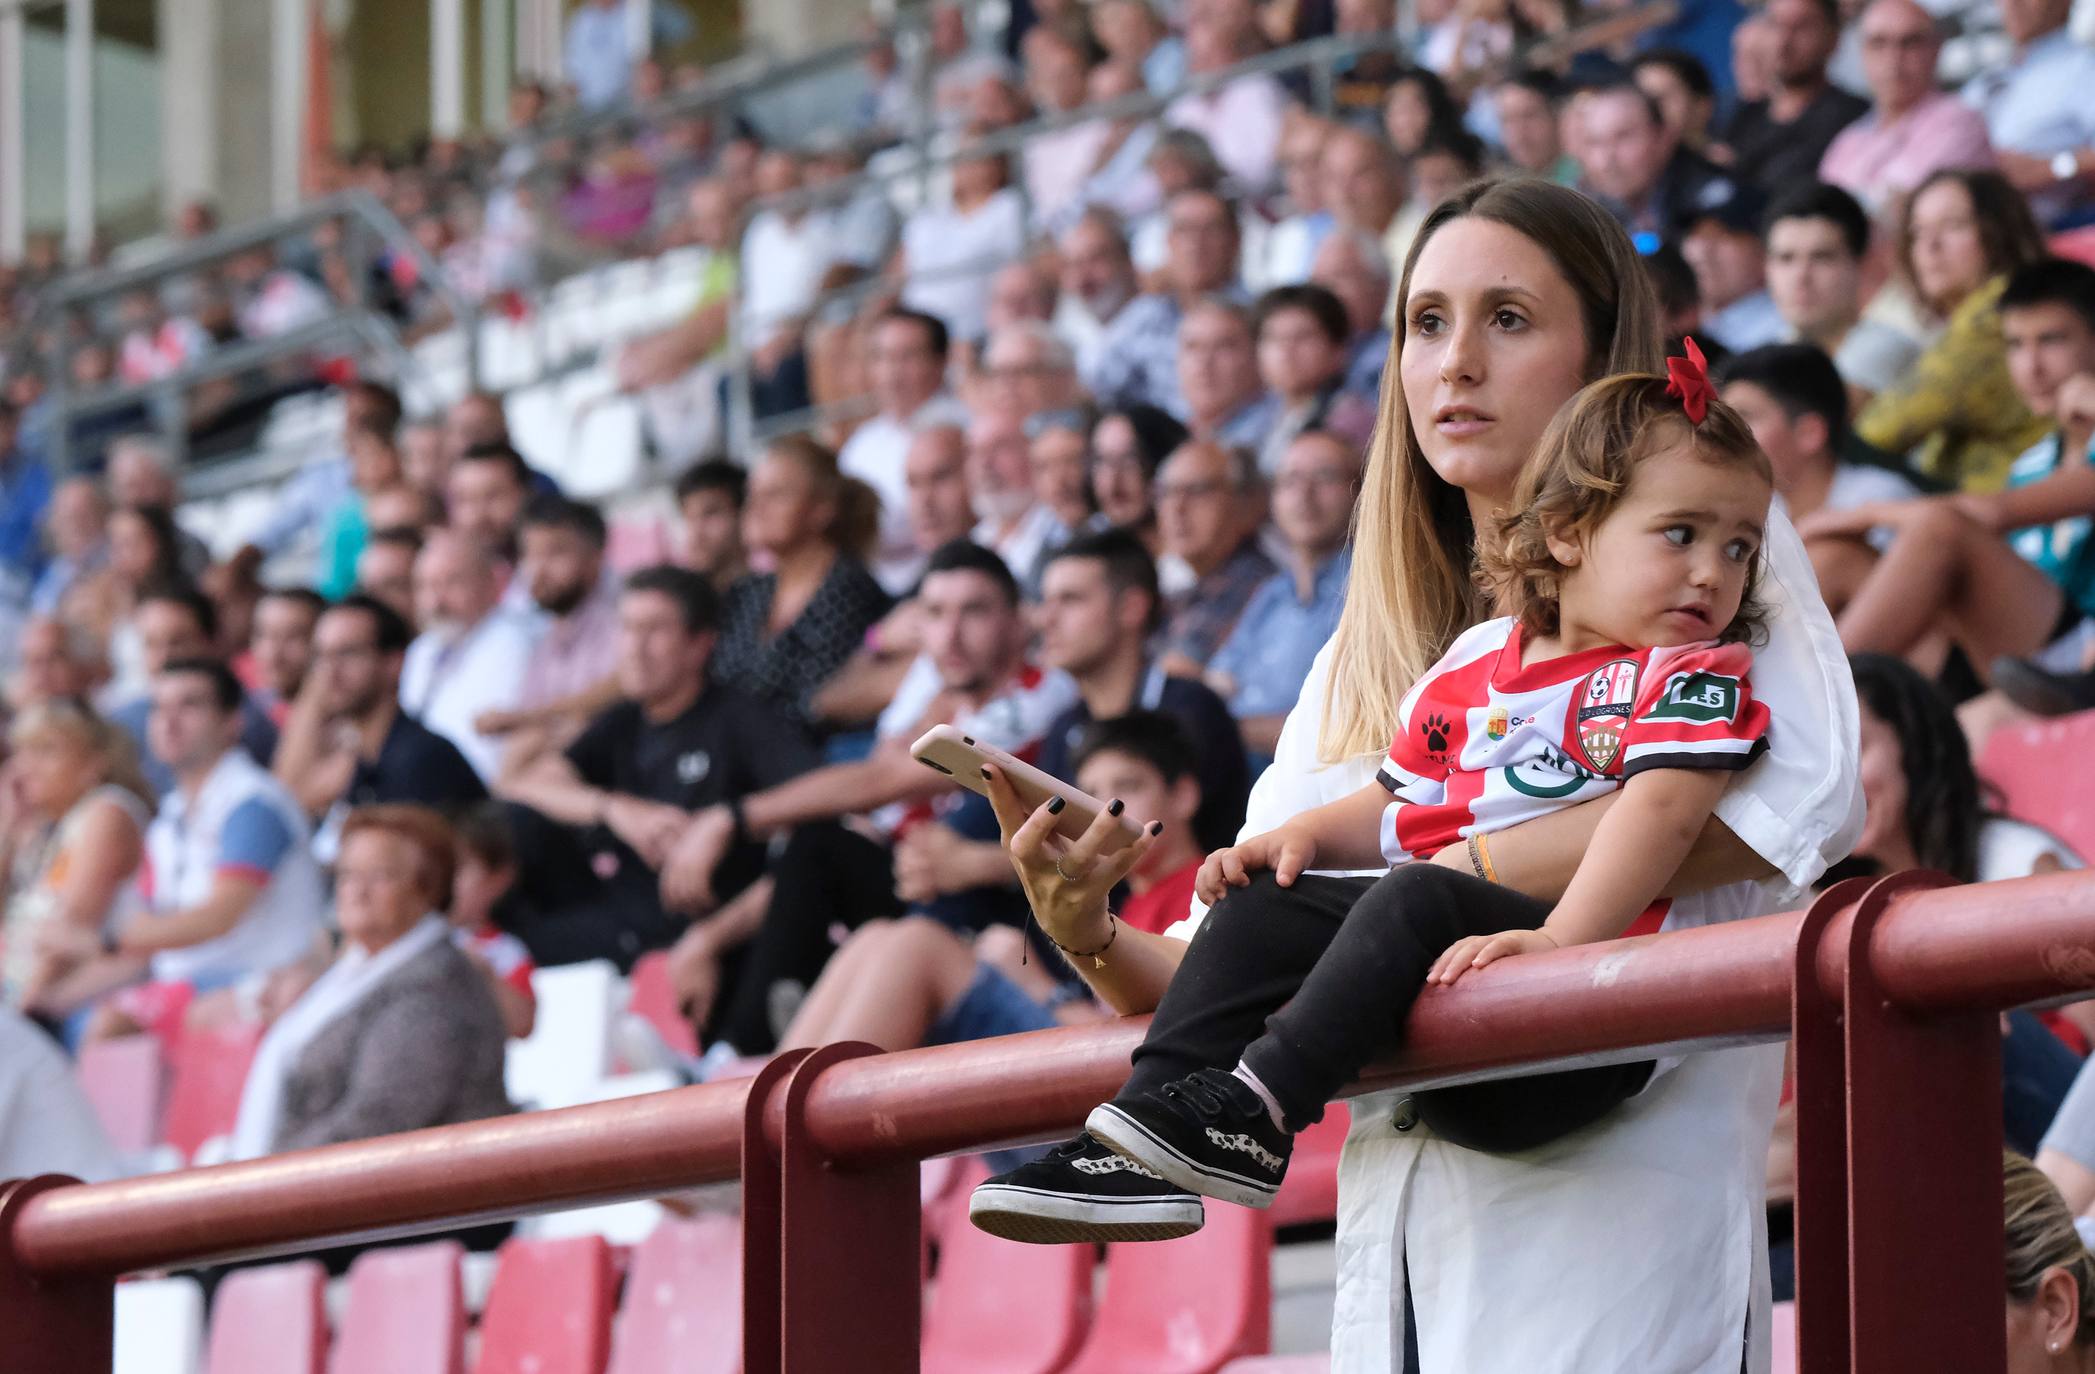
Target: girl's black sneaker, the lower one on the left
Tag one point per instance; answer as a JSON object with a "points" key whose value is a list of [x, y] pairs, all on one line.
{"points": [[1082, 1193]]}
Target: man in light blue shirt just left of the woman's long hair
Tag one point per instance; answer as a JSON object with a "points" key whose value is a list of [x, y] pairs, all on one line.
{"points": [[1260, 669]]}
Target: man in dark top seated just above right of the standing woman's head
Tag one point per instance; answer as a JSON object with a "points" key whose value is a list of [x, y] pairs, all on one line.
{"points": [[1635, 169]]}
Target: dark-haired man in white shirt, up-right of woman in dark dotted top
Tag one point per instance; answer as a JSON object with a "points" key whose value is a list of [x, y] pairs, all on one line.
{"points": [[908, 374]]}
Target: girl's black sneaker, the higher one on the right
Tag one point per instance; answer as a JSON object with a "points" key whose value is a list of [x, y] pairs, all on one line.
{"points": [[1208, 1132]]}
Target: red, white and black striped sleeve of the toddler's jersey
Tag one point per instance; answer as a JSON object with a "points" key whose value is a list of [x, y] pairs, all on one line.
{"points": [[1696, 711]]}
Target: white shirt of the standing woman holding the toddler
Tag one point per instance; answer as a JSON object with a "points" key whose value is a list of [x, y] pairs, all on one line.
{"points": [[1641, 1241]]}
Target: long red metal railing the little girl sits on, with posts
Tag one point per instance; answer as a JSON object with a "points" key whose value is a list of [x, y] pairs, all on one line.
{"points": [[1891, 992]]}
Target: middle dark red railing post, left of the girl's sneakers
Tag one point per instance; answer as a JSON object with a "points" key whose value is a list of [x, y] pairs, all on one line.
{"points": [[850, 1289]]}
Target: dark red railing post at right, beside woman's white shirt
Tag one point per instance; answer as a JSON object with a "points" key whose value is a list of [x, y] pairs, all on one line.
{"points": [[1926, 1249]]}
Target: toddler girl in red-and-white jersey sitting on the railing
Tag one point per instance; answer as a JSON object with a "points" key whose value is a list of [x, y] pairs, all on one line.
{"points": [[1629, 575]]}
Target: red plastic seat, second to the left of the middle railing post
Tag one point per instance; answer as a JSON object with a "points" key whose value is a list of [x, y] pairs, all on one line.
{"points": [[550, 1310]]}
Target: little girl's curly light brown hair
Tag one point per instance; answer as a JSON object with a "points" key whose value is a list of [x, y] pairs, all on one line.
{"points": [[1583, 472]]}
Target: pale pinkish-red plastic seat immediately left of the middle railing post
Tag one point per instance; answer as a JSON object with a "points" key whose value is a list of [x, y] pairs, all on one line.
{"points": [[684, 1302]]}
